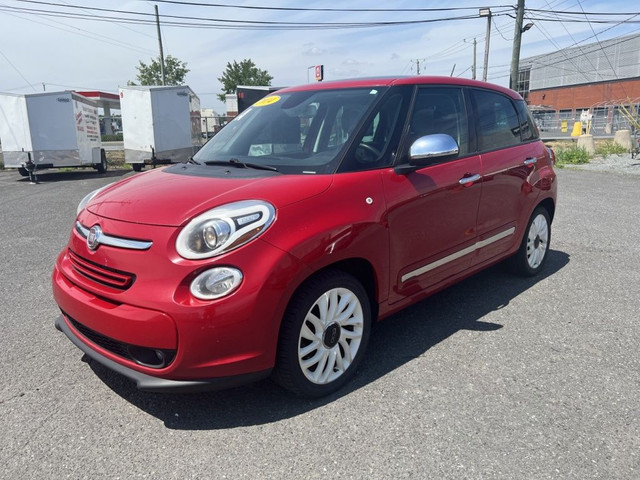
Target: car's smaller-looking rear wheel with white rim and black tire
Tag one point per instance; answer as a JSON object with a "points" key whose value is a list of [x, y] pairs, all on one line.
{"points": [[534, 248]]}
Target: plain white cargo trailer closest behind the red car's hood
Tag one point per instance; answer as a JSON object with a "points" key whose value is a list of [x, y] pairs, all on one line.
{"points": [[159, 124]]}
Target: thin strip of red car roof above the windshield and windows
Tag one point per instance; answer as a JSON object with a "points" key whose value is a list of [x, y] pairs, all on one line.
{"points": [[393, 81]]}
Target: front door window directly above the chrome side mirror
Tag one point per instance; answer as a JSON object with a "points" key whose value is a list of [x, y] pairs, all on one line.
{"points": [[440, 110]]}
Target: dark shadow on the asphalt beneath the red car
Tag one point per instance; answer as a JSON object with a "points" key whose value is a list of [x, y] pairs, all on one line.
{"points": [[394, 342]]}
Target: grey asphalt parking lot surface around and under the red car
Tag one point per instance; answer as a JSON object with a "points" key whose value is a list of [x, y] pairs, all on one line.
{"points": [[496, 377]]}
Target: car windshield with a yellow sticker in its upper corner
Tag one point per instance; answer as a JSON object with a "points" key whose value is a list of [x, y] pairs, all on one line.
{"points": [[298, 132]]}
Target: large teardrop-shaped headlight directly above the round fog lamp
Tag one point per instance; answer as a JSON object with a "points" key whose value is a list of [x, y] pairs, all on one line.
{"points": [[224, 228]]}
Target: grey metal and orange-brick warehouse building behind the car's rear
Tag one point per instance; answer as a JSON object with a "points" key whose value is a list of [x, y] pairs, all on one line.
{"points": [[602, 77]]}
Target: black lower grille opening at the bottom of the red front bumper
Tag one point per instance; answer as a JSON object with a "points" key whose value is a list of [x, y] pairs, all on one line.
{"points": [[160, 358]]}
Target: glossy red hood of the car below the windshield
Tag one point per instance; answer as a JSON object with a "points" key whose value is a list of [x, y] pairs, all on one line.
{"points": [[171, 197]]}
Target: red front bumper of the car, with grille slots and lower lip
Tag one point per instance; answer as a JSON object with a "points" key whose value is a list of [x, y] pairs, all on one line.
{"points": [[203, 344]]}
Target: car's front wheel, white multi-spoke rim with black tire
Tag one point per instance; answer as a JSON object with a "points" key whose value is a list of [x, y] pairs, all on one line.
{"points": [[339, 343]]}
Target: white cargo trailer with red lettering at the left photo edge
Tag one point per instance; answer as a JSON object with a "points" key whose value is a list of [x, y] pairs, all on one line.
{"points": [[50, 130]]}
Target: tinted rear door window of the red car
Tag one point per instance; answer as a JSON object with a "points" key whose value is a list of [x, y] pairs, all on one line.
{"points": [[497, 120]]}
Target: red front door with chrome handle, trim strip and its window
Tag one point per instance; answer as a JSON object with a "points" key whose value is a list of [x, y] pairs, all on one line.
{"points": [[432, 212]]}
